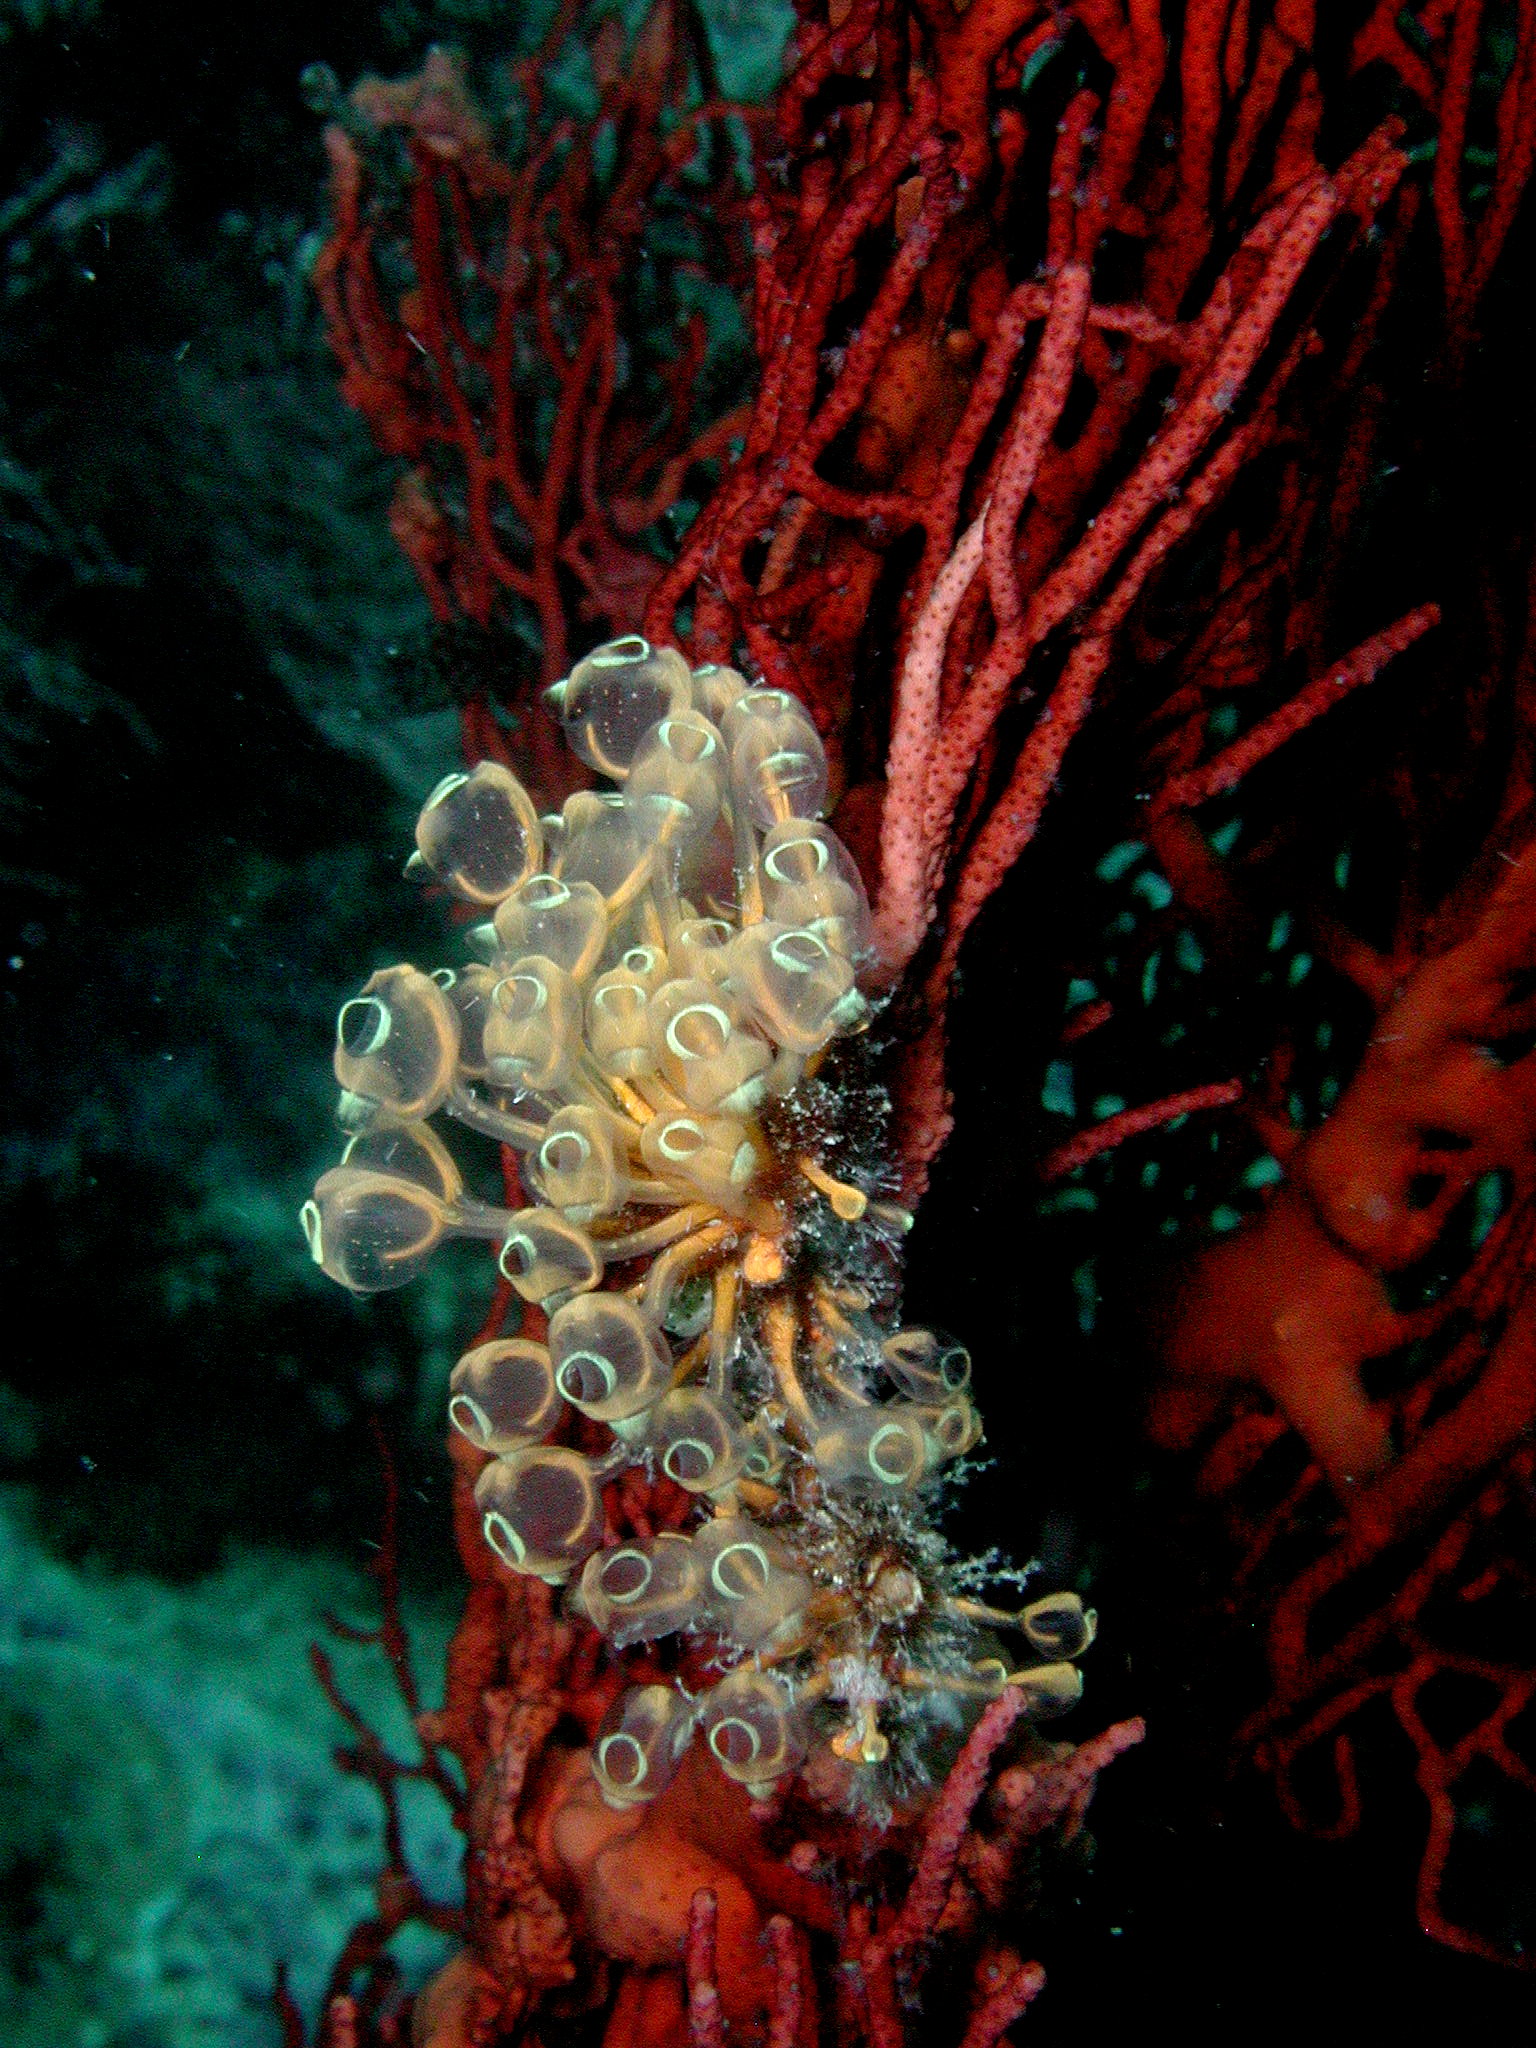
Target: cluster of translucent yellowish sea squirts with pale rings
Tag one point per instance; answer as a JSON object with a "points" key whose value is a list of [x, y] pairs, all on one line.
{"points": [[663, 972]]}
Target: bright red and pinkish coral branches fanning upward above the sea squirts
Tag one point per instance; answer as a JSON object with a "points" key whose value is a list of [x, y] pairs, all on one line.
{"points": [[933, 409]]}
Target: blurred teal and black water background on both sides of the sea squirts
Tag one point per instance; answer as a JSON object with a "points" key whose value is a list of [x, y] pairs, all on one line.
{"points": [[220, 708]]}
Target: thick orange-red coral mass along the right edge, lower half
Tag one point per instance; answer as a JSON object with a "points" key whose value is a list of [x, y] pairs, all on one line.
{"points": [[1431, 1480]]}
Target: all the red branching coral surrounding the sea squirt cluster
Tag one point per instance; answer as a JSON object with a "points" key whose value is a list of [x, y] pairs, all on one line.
{"points": [[1066, 325]]}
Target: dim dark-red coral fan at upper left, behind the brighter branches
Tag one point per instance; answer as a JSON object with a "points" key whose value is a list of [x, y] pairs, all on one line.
{"points": [[488, 323]]}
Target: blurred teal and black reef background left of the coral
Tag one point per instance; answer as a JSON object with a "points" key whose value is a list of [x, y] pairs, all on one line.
{"points": [[220, 710]]}
